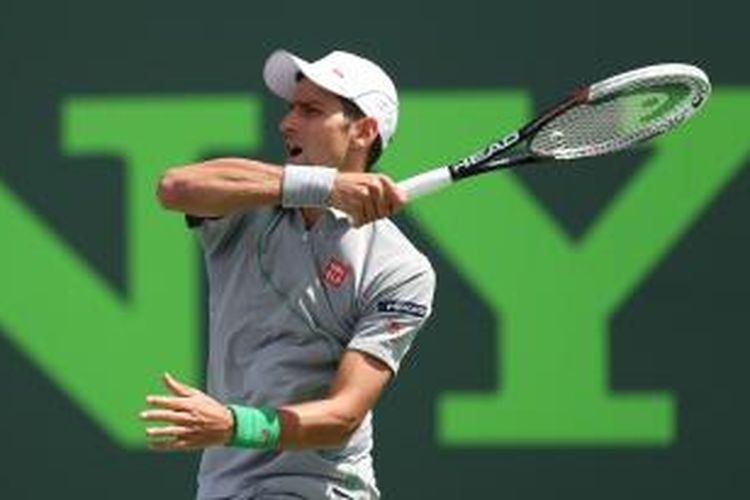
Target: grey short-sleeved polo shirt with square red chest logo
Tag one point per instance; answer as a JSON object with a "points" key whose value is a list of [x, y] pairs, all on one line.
{"points": [[285, 303]]}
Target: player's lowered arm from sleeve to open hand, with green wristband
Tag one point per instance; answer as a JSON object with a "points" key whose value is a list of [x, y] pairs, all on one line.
{"points": [[192, 420]]}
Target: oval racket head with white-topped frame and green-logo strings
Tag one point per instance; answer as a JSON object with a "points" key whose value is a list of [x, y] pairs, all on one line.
{"points": [[622, 110]]}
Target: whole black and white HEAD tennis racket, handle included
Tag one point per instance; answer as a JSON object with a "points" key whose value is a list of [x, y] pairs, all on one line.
{"points": [[605, 117]]}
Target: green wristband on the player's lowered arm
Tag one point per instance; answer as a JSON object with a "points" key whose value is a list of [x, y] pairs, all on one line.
{"points": [[257, 428]]}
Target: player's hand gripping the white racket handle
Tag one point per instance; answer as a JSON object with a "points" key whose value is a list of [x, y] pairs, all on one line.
{"points": [[366, 197]]}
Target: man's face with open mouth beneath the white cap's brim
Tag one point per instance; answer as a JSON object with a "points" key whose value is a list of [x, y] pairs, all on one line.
{"points": [[315, 130]]}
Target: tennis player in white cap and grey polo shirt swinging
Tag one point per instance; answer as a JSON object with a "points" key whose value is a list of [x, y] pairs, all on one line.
{"points": [[314, 295]]}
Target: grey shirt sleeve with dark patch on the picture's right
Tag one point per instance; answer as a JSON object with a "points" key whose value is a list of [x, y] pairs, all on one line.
{"points": [[393, 315]]}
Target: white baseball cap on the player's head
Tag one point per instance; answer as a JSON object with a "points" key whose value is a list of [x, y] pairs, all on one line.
{"points": [[345, 74]]}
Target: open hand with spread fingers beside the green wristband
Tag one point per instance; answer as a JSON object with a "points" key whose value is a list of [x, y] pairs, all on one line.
{"points": [[193, 420]]}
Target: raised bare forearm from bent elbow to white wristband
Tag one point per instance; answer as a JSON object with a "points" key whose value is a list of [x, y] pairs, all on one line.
{"points": [[219, 187]]}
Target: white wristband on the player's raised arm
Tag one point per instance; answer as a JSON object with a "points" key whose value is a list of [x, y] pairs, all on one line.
{"points": [[306, 185]]}
